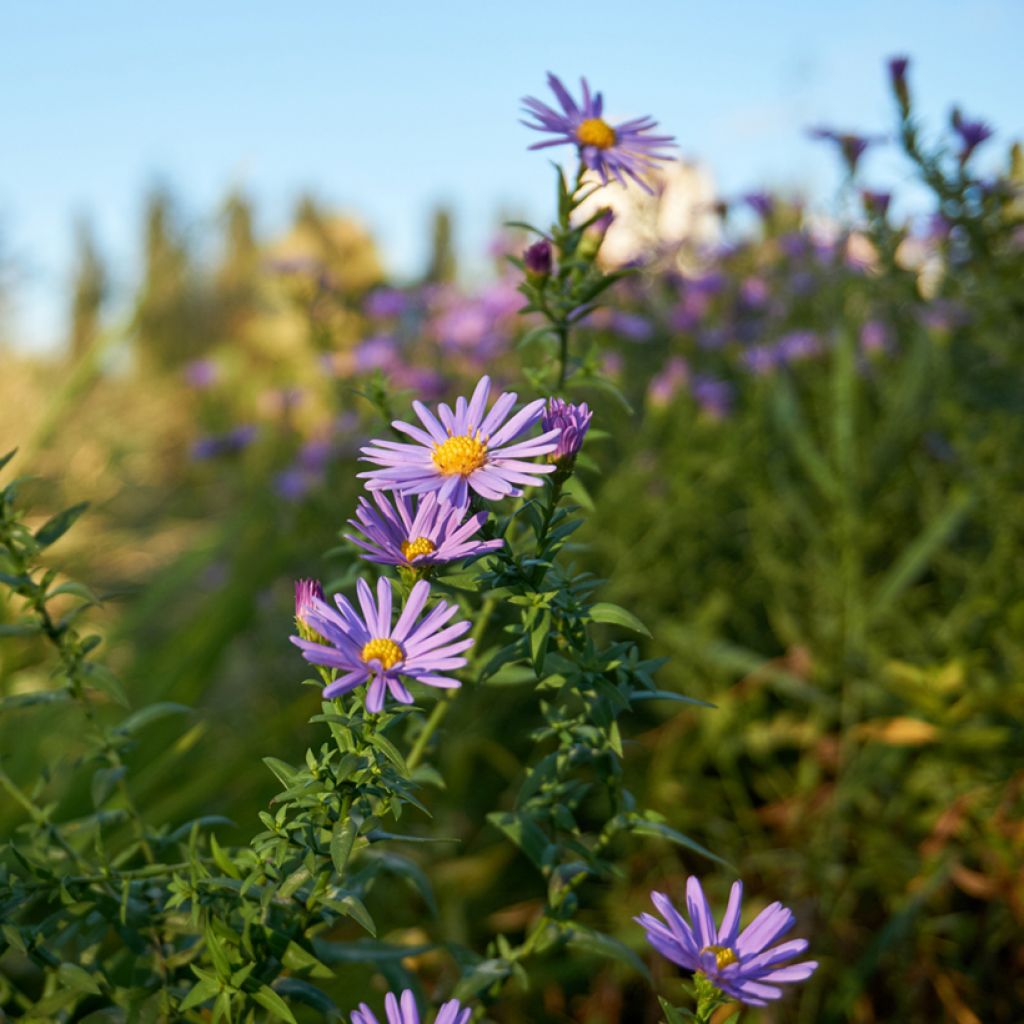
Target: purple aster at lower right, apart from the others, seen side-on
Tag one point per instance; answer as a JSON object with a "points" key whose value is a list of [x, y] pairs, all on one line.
{"points": [[740, 964]]}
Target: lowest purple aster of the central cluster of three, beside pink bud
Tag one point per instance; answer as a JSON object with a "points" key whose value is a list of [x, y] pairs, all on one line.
{"points": [[367, 649]]}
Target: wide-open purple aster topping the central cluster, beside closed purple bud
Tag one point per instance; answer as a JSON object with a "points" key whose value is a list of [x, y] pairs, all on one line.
{"points": [[463, 450]]}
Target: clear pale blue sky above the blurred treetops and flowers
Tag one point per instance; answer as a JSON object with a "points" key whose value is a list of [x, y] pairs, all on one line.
{"points": [[387, 109]]}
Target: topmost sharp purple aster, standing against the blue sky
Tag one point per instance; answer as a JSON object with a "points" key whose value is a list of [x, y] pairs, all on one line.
{"points": [[611, 151]]}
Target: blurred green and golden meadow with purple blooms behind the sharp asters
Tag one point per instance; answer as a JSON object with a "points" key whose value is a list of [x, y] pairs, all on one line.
{"points": [[815, 502]]}
